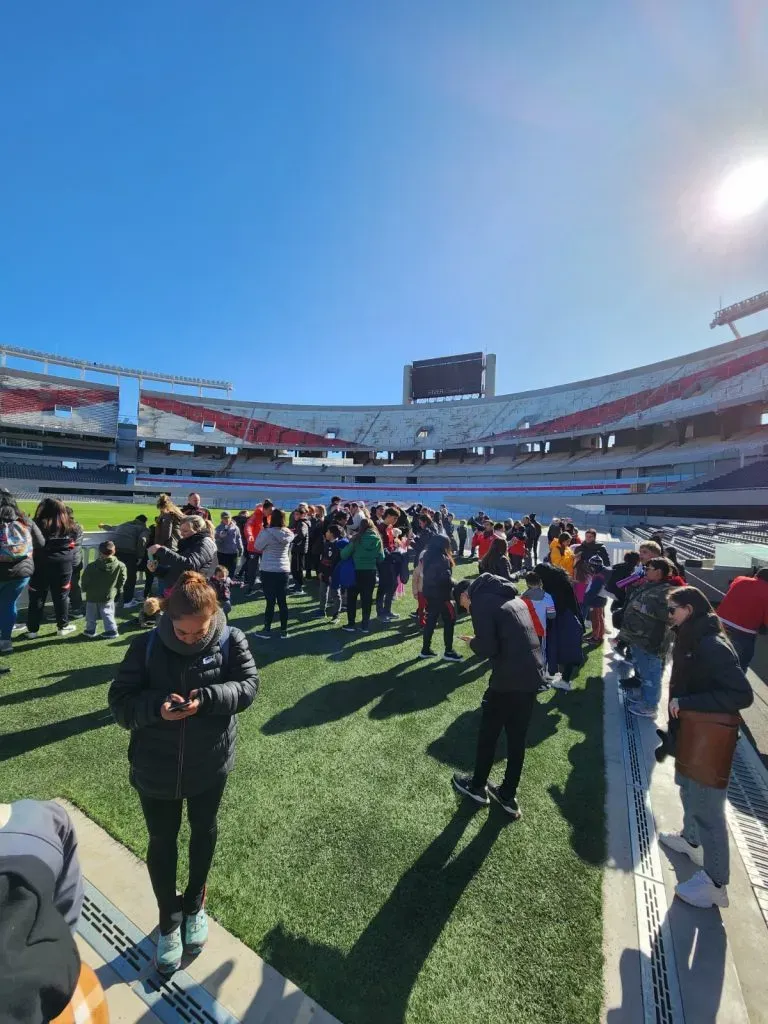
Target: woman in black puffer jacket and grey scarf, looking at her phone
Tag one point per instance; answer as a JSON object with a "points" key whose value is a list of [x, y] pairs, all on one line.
{"points": [[179, 692]]}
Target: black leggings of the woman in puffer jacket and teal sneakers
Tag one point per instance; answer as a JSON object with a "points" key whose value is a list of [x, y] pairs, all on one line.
{"points": [[163, 823]]}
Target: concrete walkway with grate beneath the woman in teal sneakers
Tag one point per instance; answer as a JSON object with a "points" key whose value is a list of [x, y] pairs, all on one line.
{"points": [[228, 984]]}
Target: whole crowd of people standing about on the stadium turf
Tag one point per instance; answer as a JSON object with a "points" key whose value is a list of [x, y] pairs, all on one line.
{"points": [[184, 681]]}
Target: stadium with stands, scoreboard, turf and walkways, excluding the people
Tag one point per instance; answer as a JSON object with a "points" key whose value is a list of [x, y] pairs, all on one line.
{"points": [[345, 761]]}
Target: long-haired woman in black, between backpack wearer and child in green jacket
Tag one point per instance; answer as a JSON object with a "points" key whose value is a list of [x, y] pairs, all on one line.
{"points": [[53, 568]]}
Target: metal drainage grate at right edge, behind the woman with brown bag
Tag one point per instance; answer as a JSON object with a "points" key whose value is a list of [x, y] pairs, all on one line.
{"points": [[748, 818]]}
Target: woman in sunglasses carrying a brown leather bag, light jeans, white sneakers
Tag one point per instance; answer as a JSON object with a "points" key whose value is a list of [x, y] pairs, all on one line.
{"points": [[706, 677]]}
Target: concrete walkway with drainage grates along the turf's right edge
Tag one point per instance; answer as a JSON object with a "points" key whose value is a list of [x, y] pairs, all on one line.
{"points": [[666, 962]]}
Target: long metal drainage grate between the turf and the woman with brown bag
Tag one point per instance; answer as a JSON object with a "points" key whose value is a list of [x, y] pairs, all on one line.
{"points": [[662, 1002]]}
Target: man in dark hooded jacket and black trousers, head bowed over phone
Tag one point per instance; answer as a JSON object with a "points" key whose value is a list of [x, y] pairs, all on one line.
{"points": [[506, 636]]}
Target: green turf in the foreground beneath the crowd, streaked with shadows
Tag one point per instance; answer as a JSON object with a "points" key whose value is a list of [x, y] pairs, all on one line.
{"points": [[346, 860]]}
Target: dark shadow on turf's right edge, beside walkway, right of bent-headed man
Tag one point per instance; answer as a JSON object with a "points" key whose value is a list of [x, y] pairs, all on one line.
{"points": [[583, 798]]}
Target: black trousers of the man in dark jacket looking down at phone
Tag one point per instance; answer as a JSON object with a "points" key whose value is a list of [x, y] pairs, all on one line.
{"points": [[510, 712]]}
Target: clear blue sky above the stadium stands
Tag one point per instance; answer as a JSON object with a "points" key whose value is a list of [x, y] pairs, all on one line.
{"points": [[303, 197]]}
